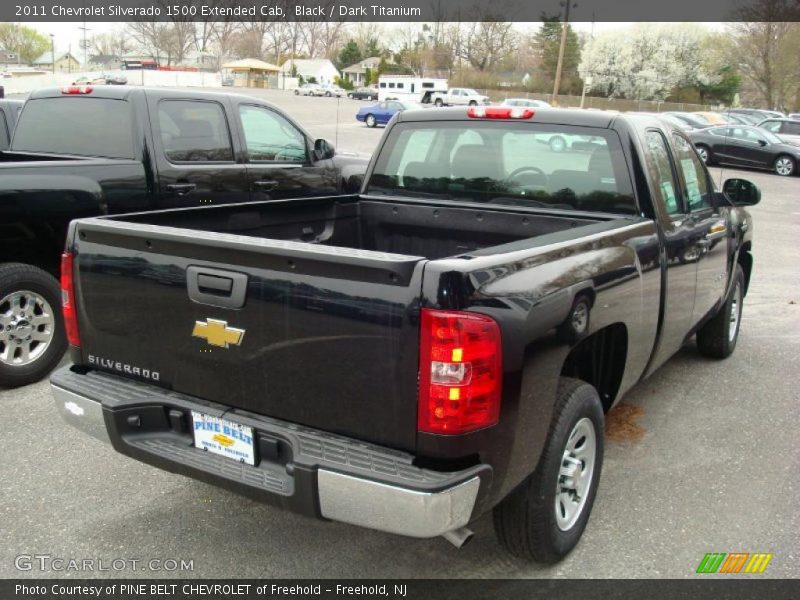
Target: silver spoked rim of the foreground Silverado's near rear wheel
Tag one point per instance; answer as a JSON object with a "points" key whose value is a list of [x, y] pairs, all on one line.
{"points": [[575, 474]]}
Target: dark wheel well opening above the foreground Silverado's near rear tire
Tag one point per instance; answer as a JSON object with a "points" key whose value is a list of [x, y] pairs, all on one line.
{"points": [[600, 361]]}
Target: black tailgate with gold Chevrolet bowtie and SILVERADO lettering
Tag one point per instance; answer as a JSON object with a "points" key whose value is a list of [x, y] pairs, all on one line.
{"points": [[321, 336]]}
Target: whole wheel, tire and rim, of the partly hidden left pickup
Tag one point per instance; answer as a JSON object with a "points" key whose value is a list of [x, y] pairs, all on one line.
{"points": [[32, 338]]}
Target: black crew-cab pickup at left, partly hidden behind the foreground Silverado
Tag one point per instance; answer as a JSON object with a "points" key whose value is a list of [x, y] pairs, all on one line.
{"points": [[81, 151]]}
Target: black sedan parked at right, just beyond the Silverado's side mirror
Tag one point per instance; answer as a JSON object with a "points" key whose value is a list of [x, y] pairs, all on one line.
{"points": [[746, 146]]}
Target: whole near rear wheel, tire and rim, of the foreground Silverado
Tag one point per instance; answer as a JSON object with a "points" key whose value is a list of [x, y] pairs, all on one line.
{"points": [[544, 518]]}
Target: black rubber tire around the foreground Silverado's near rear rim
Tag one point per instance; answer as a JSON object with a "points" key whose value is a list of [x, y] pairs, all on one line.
{"points": [[525, 521]]}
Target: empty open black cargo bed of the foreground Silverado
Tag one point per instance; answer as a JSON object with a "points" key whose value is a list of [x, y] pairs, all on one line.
{"points": [[420, 229]]}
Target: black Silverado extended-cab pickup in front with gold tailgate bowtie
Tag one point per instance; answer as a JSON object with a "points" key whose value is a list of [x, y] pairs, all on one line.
{"points": [[440, 345]]}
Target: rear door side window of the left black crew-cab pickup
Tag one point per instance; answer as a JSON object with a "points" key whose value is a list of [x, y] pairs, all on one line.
{"points": [[193, 131]]}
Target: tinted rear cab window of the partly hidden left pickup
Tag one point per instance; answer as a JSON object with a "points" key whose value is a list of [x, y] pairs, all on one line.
{"points": [[80, 126]]}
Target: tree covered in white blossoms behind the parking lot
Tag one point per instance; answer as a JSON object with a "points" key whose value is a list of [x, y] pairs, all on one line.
{"points": [[644, 61]]}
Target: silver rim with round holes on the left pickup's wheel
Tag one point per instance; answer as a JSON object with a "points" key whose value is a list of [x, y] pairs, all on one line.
{"points": [[27, 326]]}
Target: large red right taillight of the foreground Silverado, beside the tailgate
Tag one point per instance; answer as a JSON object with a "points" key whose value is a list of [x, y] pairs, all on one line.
{"points": [[460, 372]]}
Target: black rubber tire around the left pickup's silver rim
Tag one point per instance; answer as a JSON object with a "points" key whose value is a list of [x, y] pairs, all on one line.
{"points": [[15, 277]]}
